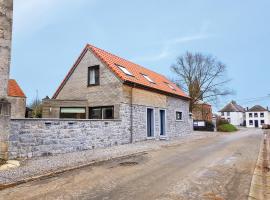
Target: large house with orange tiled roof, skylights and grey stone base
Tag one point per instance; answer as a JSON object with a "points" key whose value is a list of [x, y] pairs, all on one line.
{"points": [[103, 86]]}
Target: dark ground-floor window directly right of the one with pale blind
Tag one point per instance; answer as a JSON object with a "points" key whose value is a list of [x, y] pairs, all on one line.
{"points": [[105, 112]]}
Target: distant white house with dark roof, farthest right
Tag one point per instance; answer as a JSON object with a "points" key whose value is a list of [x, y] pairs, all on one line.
{"points": [[257, 116]]}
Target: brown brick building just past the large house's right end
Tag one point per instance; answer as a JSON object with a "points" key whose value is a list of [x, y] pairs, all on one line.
{"points": [[202, 112]]}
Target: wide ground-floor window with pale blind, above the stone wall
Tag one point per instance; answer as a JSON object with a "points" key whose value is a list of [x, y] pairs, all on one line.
{"points": [[73, 113]]}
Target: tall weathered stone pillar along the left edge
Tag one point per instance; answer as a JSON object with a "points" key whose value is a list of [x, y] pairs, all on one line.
{"points": [[6, 17]]}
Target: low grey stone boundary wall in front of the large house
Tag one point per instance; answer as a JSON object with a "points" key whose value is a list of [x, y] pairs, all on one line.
{"points": [[41, 137]]}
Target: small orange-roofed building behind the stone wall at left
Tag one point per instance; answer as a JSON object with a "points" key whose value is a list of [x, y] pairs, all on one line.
{"points": [[17, 99]]}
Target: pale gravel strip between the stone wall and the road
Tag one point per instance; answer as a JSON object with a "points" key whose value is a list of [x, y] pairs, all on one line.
{"points": [[44, 165]]}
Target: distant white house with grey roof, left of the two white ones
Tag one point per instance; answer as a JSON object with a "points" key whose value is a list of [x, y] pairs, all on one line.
{"points": [[234, 113]]}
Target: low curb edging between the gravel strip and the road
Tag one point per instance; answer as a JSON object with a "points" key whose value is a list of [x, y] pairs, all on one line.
{"points": [[57, 172]]}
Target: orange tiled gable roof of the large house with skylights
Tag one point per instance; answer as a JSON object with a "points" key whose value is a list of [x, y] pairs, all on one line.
{"points": [[161, 83]]}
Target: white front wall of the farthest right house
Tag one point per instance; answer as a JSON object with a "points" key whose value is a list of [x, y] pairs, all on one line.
{"points": [[266, 118]]}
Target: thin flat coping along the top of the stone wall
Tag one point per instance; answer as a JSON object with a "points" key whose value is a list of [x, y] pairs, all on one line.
{"points": [[66, 120]]}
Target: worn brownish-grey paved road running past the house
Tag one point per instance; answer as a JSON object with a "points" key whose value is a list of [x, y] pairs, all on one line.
{"points": [[213, 168]]}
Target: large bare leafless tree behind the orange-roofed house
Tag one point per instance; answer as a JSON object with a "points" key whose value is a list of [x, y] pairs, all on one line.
{"points": [[203, 77]]}
